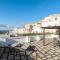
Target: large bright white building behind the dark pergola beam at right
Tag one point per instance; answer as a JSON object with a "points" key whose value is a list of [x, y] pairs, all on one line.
{"points": [[51, 20]]}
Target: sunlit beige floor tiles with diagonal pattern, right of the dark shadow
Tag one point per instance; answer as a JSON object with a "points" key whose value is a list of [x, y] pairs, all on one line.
{"points": [[48, 52]]}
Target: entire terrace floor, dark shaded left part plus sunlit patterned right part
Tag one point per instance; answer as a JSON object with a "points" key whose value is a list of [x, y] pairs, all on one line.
{"points": [[48, 52]]}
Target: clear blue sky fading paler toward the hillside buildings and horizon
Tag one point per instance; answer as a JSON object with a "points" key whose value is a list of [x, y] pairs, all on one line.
{"points": [[17, 13]]}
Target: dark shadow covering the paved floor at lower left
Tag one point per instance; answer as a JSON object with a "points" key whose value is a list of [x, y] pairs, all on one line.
{"points": [[10, 53]]}
